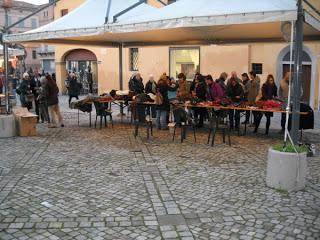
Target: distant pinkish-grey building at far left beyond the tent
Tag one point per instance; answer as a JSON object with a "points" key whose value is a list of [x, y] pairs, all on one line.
{"points": [[19, 10]]}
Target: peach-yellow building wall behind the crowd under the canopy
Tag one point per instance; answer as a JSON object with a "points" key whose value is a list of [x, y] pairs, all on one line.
{"points": [[264, 58]]}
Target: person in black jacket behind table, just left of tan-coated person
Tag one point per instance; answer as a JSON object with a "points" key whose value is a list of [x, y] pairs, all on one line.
{"points": [[236, 94]]}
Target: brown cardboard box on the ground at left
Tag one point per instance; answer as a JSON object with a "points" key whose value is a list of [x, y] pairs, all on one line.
{"points": [[26, 122]]}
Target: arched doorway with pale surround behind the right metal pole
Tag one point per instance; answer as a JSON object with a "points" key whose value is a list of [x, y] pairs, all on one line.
{"points": [[308, 72]]}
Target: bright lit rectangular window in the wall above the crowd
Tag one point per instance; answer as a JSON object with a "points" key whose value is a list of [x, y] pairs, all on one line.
{"points": [[184, 60]]}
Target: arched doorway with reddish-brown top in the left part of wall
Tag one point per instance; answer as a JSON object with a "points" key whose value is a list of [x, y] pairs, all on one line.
{"points": [[83, 63]]}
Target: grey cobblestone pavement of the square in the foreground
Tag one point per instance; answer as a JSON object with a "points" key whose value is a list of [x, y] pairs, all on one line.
{"points": [[85, 183]]}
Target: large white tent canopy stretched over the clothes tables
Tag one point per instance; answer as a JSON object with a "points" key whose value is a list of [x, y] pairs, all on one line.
{"points": [[183, 22]]}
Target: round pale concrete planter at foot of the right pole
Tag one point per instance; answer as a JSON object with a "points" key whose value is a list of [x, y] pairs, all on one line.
{"points": [[286, 171]]}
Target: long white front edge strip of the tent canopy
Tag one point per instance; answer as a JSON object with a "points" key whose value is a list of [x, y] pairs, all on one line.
{"points": [[232, 19]]}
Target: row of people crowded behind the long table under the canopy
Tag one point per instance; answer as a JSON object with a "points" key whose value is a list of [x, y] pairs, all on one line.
{"points": [[246, 88]]}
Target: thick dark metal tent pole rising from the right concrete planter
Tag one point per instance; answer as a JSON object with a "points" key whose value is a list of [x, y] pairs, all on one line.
{"points": [[297, 74]]}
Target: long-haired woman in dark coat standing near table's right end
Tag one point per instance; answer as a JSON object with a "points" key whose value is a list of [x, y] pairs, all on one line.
{"points": [[269, 92]]}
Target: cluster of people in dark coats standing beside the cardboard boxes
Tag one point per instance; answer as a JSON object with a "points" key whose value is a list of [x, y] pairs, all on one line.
{"points": [[41, 91]]}
